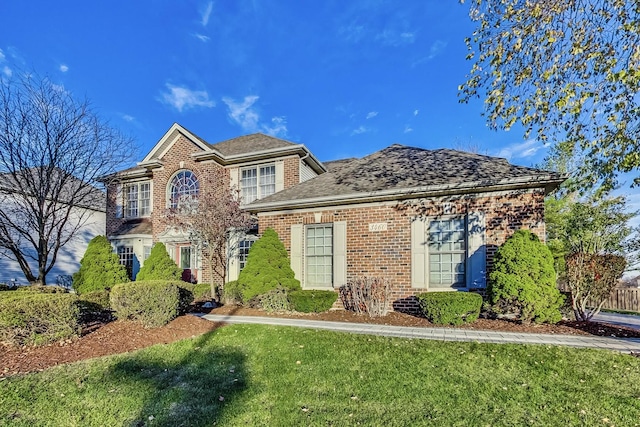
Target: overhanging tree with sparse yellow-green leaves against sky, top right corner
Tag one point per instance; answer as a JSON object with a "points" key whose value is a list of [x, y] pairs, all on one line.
{"points": [[567, 71]]}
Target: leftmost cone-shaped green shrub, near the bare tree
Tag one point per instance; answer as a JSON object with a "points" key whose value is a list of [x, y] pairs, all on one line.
{"points": [[100, 268]]}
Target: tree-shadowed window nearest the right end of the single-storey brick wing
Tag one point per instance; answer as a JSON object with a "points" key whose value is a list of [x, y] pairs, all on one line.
{"points": [[447, 253]]}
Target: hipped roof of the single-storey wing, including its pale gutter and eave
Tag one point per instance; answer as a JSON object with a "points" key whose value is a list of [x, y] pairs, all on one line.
{"points": [[407, 172]]}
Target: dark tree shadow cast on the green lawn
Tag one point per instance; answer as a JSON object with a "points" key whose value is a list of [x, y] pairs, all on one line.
{"points": [[192, 390]]}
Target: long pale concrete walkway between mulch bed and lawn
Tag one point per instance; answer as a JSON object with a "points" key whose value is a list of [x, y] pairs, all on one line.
{"points": [[625, 345]]}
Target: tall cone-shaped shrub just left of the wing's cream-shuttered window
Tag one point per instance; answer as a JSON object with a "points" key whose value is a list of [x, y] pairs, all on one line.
{"points": [[267, 268]]}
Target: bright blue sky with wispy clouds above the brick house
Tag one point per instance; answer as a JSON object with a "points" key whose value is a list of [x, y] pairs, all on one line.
{"points": [[344, 78]]}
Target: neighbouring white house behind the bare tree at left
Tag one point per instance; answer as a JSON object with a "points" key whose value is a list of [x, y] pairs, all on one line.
{"points": [[83, 205]]}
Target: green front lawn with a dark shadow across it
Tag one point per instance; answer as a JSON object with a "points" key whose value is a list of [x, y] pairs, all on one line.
{"points": [[264, 375]]}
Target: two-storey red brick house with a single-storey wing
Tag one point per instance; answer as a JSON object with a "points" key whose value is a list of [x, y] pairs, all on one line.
{"points": [[425, 219]]}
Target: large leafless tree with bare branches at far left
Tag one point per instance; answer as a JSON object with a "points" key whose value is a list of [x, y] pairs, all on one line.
{"points": [[53, 148]]}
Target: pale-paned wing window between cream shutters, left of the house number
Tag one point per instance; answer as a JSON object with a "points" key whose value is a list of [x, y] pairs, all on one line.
{"points": [[319, 255]]}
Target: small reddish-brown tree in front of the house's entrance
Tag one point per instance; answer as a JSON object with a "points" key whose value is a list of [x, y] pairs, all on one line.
{"points": [[214, 222]]}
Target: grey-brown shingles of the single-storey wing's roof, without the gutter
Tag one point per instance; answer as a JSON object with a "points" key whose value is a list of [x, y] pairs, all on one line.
{"points": [[402, 168]]}
